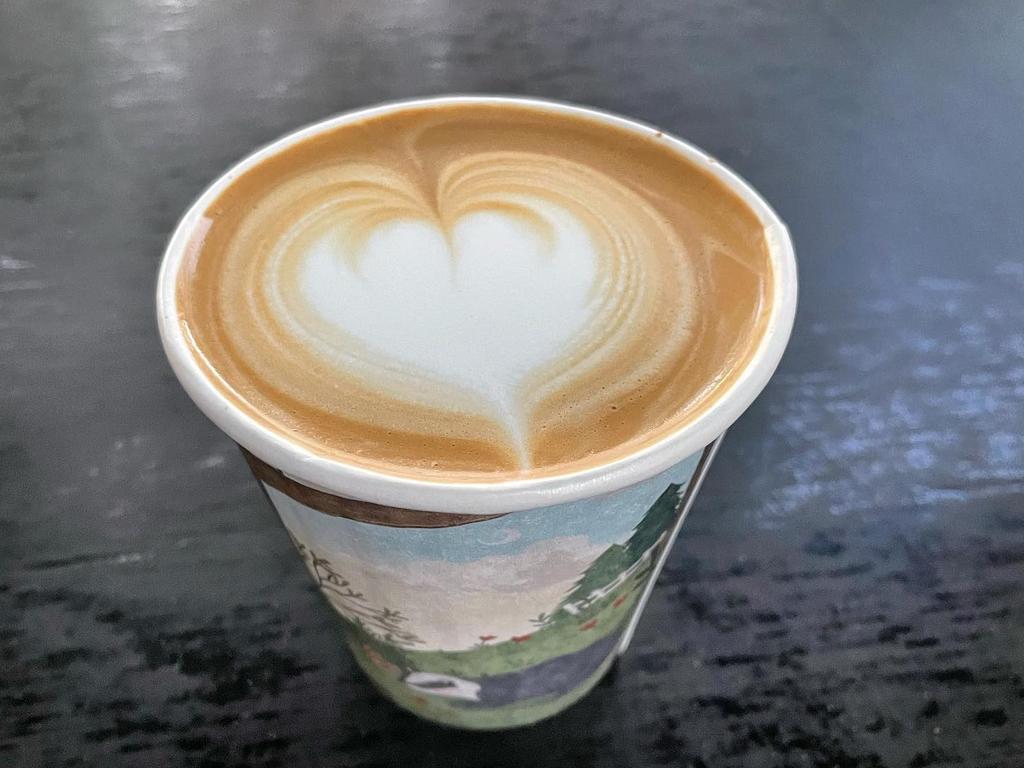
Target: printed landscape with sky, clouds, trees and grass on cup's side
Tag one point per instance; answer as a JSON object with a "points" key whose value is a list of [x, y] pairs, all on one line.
{"points": [[498, 623]]}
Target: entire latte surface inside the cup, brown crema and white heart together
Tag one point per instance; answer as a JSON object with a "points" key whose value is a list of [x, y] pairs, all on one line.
{"points": [[476, 291]]}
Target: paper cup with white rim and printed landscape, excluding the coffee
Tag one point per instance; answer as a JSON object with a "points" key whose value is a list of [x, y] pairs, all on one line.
{"points": [[477, 605]]}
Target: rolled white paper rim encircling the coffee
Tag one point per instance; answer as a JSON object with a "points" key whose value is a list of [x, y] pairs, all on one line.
{"points": [[342, 479]]}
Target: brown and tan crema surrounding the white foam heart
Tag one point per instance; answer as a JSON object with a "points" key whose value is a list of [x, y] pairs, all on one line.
{"points": [[678, 302]]}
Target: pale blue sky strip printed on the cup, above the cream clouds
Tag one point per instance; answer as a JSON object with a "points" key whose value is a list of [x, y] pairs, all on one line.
{"points": [[604, 521]]}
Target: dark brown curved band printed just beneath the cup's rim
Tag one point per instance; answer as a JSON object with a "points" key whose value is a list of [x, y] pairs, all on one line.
{"points": [[352, 509]]}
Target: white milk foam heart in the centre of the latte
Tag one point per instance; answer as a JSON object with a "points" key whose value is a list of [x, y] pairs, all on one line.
{"points": [[482, 311]]}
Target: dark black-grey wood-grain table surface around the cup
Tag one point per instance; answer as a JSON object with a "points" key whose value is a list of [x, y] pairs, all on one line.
{"points": [[849, 589]]}
